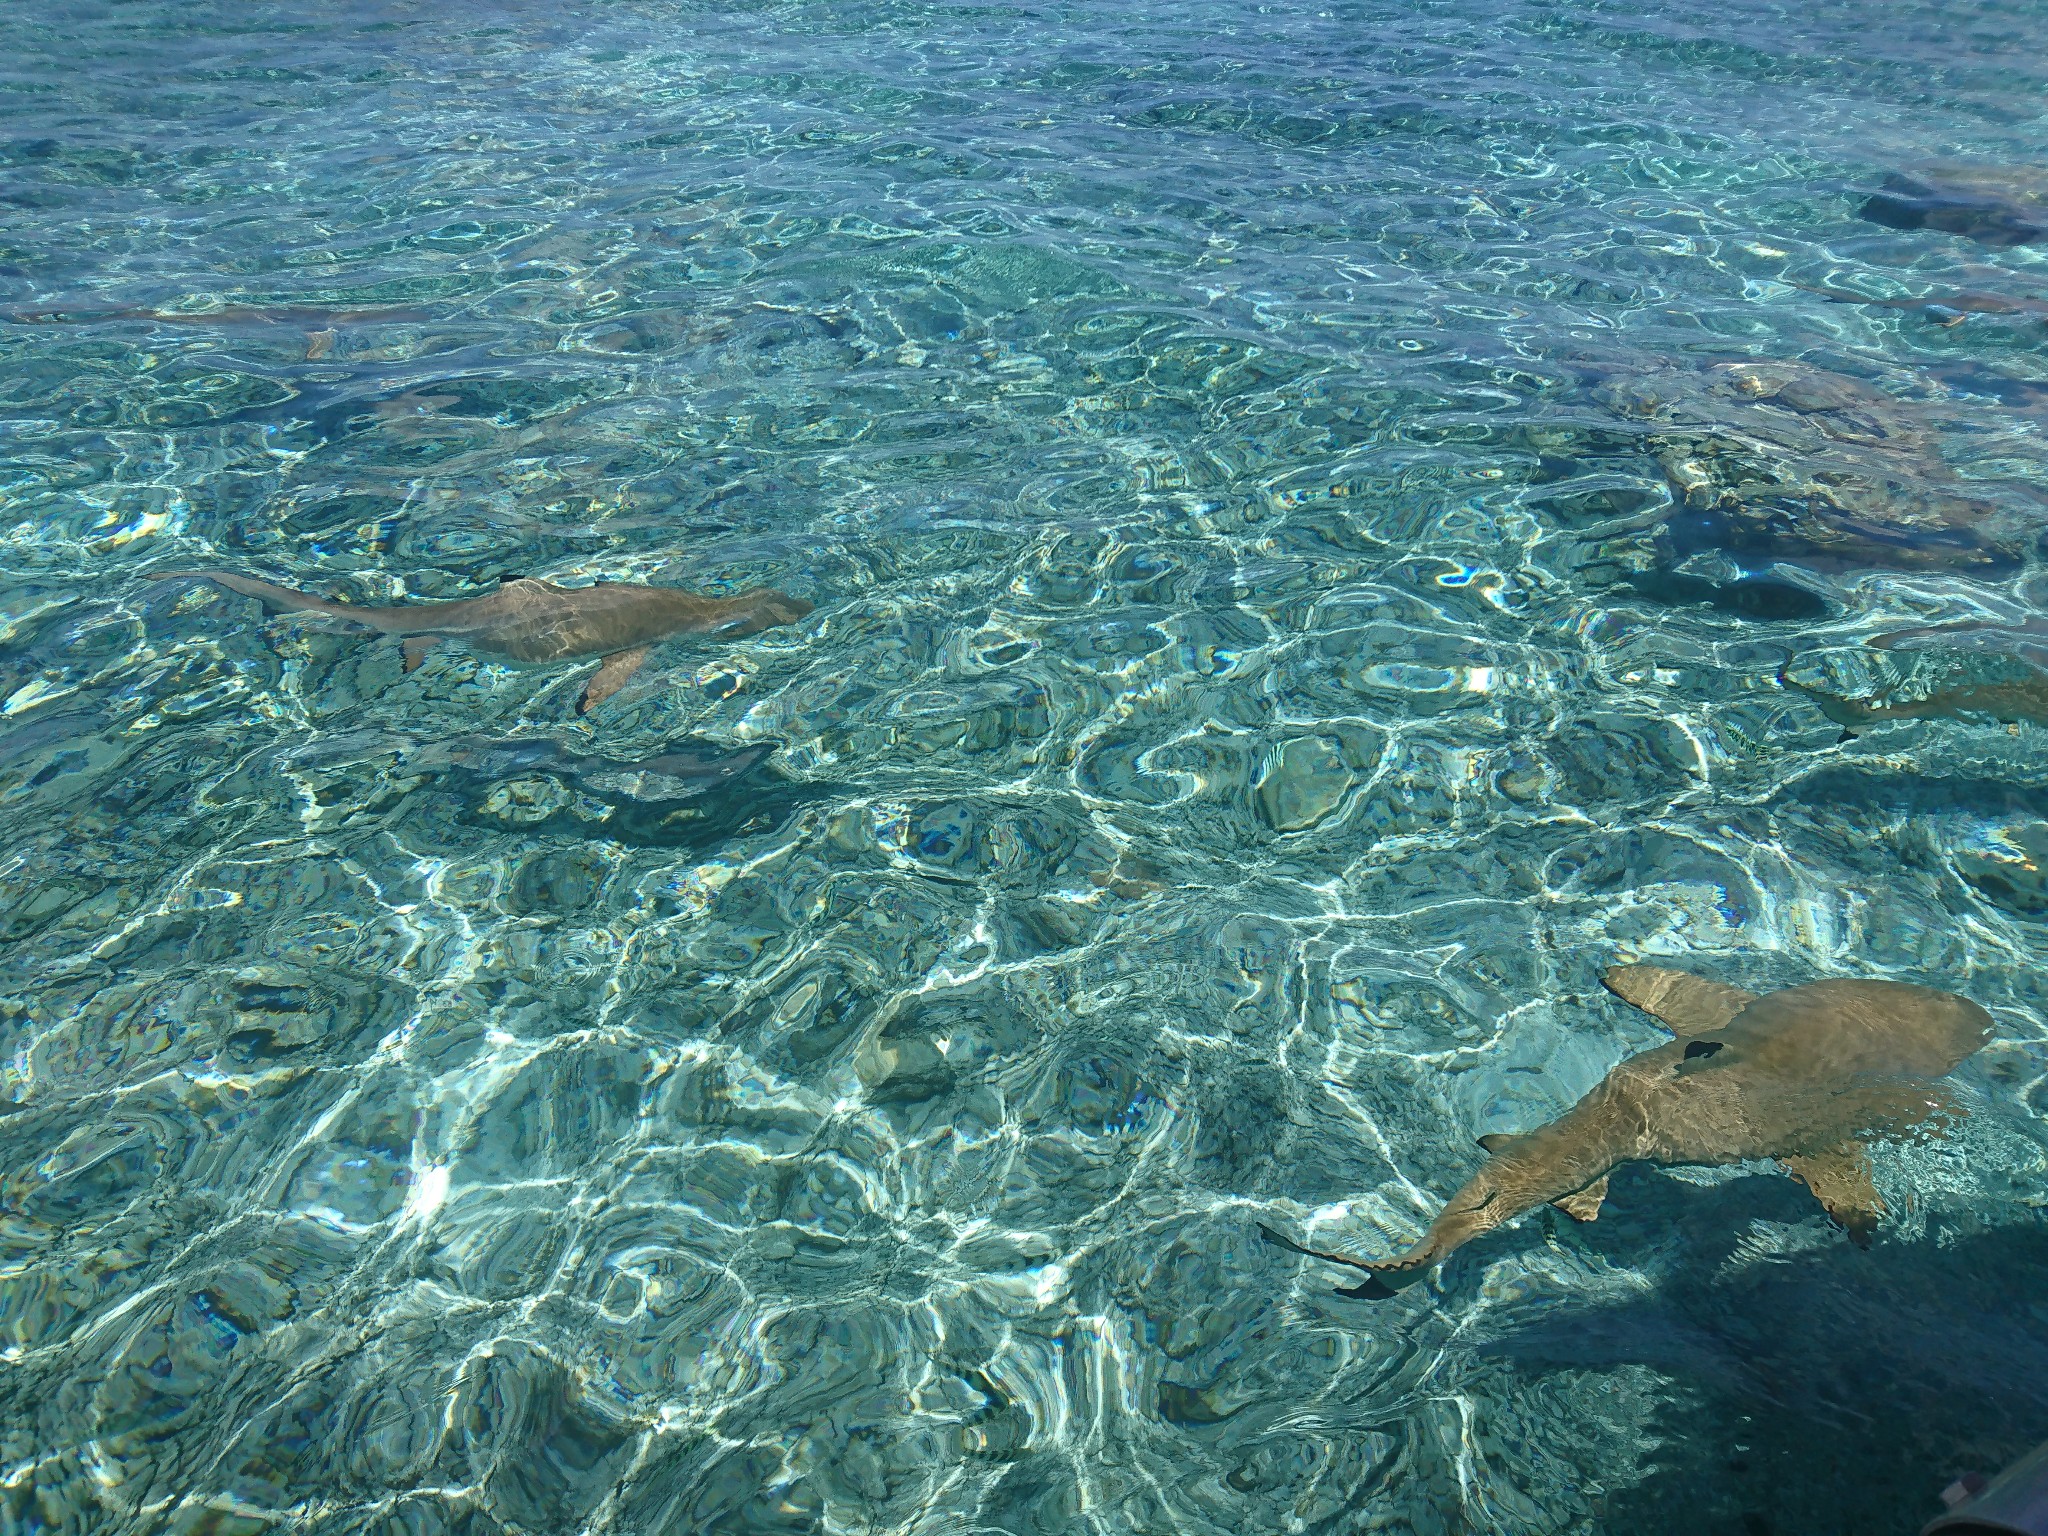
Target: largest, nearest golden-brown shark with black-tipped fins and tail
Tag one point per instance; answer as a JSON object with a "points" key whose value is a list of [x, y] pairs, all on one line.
{"points": [[1805, 1076]]}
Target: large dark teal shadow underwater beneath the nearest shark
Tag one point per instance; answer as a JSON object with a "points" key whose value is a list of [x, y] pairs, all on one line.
{"points": [[1814, 1394]]}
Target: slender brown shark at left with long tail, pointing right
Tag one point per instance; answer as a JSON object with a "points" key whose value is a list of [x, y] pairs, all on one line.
{"points": [[540, 622]]}
